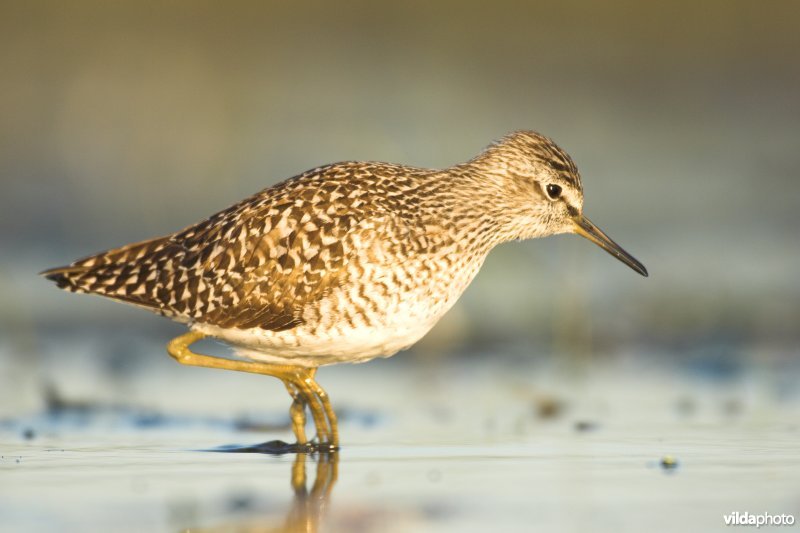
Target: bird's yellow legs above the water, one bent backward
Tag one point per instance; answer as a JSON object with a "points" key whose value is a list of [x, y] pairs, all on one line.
{"points": [[299, 382]]}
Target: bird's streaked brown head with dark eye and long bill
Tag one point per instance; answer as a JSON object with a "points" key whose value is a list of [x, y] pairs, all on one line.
{"points": [[543, 191]]}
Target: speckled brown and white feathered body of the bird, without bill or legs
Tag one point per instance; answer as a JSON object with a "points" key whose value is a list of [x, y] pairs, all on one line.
{"points": [[344, 262]]}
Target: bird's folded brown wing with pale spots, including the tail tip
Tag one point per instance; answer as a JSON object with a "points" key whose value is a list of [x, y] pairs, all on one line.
{"points": [[259, 263]]}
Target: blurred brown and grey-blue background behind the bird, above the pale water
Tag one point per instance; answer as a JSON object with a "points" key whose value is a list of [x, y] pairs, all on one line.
{"points": [[126, 120]]}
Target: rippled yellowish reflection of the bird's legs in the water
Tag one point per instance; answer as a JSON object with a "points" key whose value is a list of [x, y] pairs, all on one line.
{"points": [[308, 504]]}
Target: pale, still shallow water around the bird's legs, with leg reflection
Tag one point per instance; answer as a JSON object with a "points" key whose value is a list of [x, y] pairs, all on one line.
{"points": [[464, 445]]}
